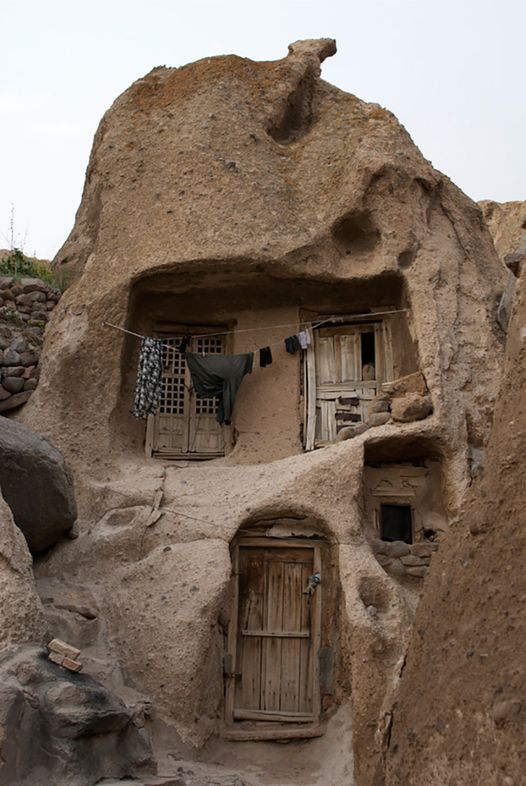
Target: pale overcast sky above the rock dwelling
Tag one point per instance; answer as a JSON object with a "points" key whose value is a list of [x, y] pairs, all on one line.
{"points": [[453, 72]]}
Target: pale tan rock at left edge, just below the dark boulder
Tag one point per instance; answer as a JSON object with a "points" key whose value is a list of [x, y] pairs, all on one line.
{"points": [[21, 616]]}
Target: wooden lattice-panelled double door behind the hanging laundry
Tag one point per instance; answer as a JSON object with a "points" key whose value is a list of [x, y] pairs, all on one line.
{"points": [[185, 426]]}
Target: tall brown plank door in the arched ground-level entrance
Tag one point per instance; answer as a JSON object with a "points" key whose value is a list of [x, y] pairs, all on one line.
{"points": [[276, 639]]}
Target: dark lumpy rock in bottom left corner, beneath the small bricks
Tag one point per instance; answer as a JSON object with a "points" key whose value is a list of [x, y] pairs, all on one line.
{"points": [[62, 728]]}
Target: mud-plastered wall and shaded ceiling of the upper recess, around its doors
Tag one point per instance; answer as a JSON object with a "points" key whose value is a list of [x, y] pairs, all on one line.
{"points": [[269, 410]]}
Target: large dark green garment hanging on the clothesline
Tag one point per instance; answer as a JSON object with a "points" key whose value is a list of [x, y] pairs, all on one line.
{"points": [[219, 376]]}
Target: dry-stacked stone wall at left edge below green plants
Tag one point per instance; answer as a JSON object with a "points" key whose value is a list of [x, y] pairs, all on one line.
{"points": [[25, 308]]}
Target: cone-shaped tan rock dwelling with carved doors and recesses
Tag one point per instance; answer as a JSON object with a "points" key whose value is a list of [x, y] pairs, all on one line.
{"points": [[237, 586]]}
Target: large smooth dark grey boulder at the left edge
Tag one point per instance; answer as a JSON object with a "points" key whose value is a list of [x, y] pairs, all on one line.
{"points": [[36, 484]]}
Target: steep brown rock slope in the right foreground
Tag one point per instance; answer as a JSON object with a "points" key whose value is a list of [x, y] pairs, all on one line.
{"points": [[461, 712]]}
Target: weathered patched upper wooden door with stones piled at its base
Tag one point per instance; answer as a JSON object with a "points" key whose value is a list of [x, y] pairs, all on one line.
{"points": [[345, 367]]}
